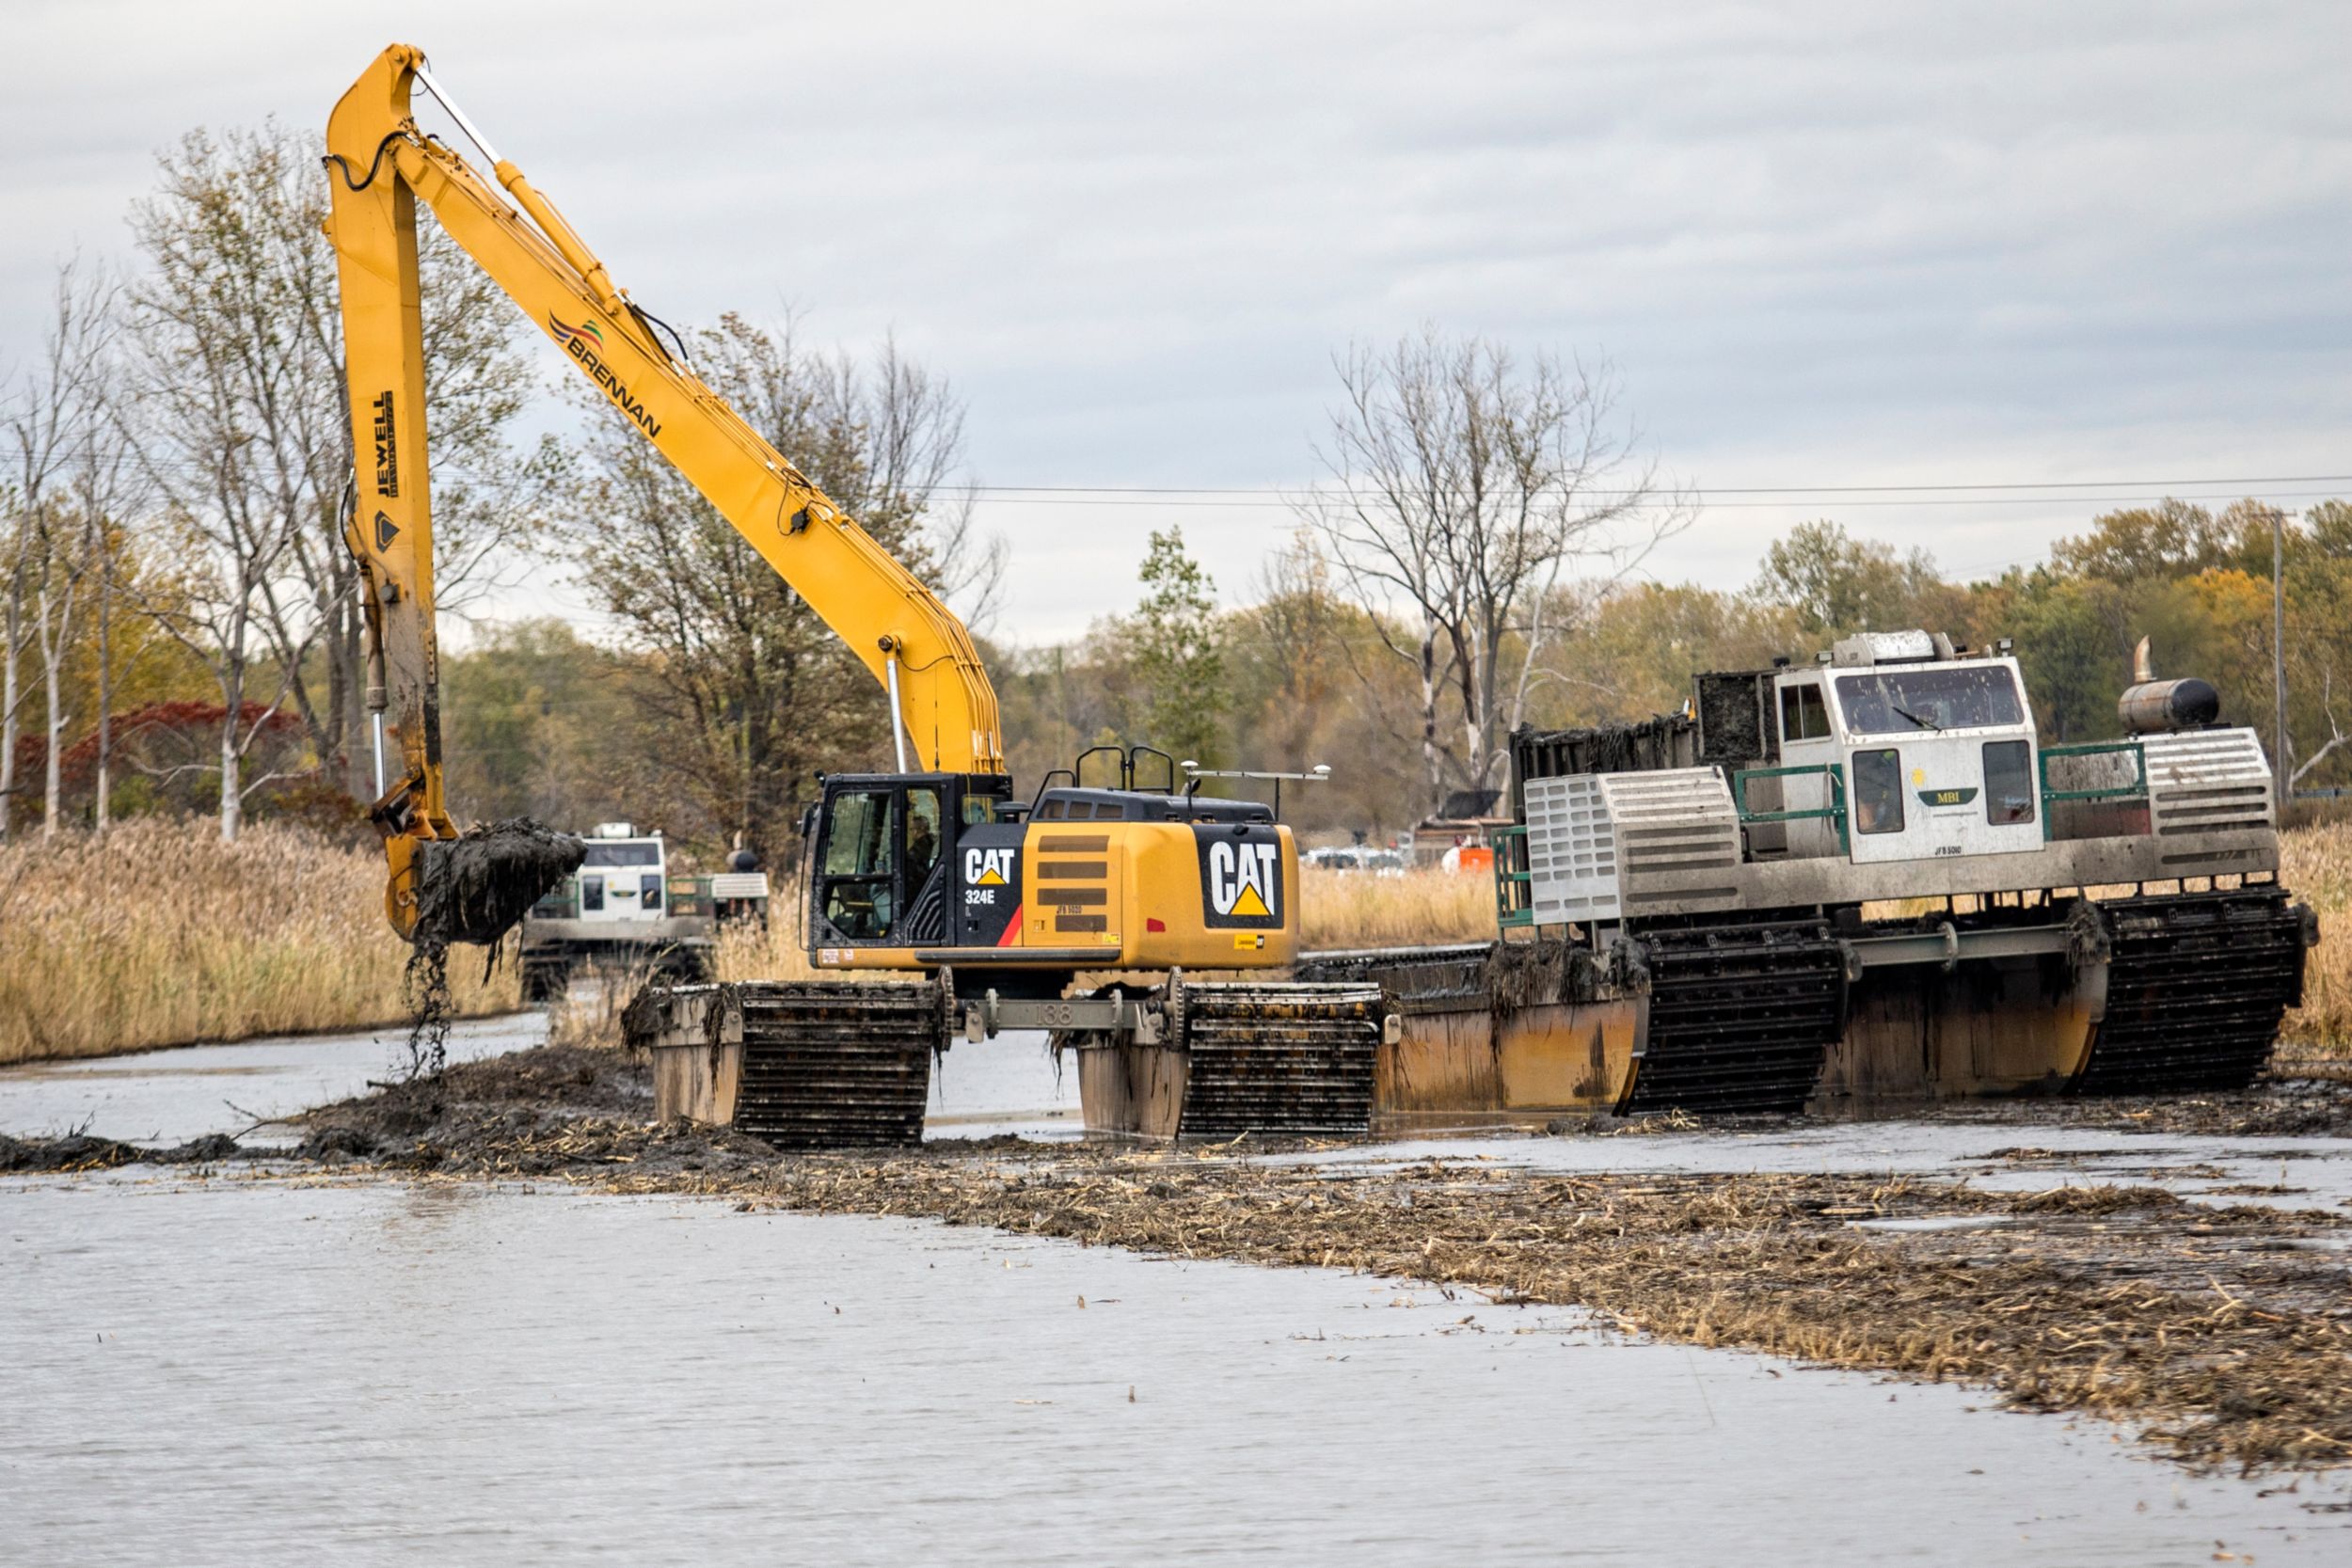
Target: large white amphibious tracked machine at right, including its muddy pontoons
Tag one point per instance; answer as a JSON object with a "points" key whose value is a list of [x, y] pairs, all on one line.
{"points": [[1862, 880]]}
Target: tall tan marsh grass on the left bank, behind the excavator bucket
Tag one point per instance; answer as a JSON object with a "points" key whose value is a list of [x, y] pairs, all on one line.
{"points": [[159, 937]]}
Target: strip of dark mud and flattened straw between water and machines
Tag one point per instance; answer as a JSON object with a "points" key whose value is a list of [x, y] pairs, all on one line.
{"points": [[2214, 1329]]}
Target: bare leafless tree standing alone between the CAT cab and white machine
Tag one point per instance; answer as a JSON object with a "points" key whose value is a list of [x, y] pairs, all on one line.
{"points": [[1462, 488]]}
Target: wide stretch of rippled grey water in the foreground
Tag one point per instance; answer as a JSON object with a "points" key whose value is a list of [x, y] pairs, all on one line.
{"points": [[250, 1372]]}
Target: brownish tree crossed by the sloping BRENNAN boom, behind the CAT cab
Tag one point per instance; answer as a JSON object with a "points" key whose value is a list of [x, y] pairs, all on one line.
{"points": [[749, 688]]}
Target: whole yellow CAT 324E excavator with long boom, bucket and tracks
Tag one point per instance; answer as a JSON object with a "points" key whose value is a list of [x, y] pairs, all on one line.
{"points": [[937, 869]]}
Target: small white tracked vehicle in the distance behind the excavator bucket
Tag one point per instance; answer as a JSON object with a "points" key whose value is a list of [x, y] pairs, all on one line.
{"points": [[624, 909]]}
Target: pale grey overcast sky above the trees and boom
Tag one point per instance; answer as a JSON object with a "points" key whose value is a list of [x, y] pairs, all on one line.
{"points": [[1826, 246]]}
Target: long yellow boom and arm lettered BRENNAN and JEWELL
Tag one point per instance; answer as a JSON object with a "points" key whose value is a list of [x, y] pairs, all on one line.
{"points": [[380, 166]]}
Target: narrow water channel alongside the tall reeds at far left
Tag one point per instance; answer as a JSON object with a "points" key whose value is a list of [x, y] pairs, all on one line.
{"points": [[171, 1097]]}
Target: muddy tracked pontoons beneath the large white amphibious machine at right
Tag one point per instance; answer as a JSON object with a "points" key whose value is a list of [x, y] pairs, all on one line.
{"points": [[1784, 1012]]}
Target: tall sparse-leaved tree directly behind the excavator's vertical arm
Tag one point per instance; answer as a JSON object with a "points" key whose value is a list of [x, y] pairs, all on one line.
{"points": [[246, 427]]}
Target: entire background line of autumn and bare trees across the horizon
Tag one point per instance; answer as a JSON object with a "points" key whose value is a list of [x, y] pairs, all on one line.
{"points": [[182, 631]]}
